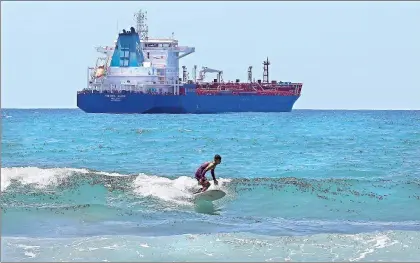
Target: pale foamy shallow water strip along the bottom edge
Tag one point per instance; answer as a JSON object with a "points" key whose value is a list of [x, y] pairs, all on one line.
{"points": [[378, 246]]}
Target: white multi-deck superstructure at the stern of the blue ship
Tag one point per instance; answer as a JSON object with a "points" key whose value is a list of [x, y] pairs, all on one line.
{"points": [[157, 70]]}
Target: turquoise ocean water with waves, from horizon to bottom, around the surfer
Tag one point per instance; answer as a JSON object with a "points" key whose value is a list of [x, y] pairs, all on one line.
{"points": [[301, 186]]}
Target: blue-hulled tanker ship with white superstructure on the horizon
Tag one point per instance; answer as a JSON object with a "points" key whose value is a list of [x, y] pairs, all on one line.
{"points": [[139, 74]]}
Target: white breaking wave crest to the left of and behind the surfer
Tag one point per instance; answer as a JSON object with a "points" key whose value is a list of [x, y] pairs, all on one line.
{"points": [[46, 180]]}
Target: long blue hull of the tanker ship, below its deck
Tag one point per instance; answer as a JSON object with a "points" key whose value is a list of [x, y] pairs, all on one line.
{"points": [[190, 103]]}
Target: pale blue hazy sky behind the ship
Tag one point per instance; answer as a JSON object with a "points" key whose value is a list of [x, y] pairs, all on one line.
{"points": [[349, 55]]}
